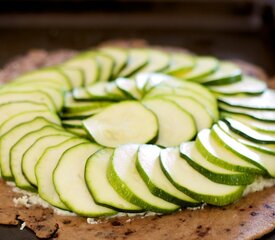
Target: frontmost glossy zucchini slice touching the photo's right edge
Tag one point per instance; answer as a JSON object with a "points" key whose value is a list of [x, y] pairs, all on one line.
{"points": [[243, 151]]}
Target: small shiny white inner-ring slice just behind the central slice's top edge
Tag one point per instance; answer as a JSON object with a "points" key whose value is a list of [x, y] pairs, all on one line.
{"points": [[129, 88]]}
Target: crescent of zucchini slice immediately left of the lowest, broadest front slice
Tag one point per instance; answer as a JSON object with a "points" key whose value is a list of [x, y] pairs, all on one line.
{"points": [[44, 171]]}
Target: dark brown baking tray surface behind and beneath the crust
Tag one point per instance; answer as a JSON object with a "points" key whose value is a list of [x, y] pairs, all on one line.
{"points": [[226, 29]]}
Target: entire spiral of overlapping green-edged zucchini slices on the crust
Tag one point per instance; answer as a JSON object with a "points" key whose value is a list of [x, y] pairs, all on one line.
{"points": [[131, 130]]}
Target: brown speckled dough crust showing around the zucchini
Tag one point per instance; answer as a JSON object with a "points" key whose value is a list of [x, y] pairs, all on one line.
{"points": [[251, 217]]}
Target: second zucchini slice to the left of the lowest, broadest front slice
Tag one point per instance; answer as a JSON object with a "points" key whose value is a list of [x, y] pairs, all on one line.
{"points": [[35, 151]]}
